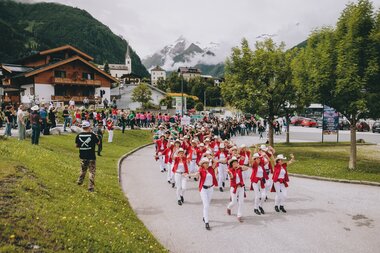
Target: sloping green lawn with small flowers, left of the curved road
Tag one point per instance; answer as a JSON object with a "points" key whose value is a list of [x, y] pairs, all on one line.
{"points": [[42, 209]]}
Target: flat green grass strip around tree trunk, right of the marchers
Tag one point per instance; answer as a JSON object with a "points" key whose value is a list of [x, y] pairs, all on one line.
{"points": [[331, 160]]}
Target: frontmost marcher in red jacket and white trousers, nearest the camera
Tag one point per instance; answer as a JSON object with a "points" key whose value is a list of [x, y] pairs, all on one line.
{"points": [[207, 182]]}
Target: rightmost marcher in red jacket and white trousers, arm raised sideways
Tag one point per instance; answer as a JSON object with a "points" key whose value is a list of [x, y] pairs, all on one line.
{"points": [[280, 181]]}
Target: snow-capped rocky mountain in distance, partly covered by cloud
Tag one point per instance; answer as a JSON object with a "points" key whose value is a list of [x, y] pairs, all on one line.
{"points": [[185, 53]]}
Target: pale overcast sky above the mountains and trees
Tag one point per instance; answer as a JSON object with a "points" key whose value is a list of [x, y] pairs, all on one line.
{"points": [[151, 24]]}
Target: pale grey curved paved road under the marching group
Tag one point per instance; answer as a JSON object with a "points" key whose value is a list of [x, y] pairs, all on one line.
{"points": [[322, 216]]}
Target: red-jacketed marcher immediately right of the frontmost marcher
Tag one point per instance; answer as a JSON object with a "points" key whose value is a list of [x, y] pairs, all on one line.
{"points": [[237, 187]]}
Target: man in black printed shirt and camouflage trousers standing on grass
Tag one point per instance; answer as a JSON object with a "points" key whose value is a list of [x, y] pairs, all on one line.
{"points": [[86, 142]]}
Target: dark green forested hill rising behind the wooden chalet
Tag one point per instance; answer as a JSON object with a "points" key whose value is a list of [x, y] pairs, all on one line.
{"points": [[25, 28]]}
